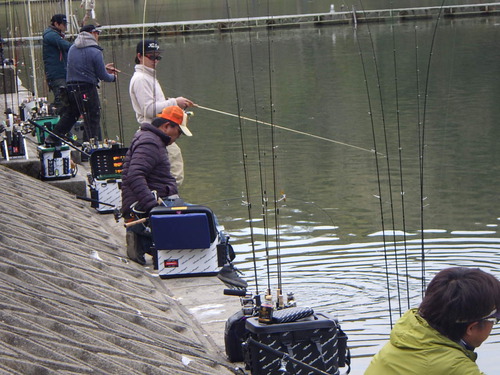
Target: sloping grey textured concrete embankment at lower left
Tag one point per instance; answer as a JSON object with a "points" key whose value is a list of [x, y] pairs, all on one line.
{"points": [[71, 304]]}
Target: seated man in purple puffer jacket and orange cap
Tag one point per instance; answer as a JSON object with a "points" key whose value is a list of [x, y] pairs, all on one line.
{"points": [[147, 169]]}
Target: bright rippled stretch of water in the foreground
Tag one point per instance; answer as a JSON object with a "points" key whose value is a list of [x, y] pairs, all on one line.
{"points": [[347, 278]]}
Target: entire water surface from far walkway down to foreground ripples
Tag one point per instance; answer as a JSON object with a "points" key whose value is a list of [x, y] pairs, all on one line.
{"points": [[340, 84]]}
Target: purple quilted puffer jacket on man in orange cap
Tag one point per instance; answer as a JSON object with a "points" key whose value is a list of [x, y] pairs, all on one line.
{"points": [[146, 168]]}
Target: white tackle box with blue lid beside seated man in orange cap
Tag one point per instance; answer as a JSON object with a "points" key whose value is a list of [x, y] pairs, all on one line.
{"points": [[186, 240]]}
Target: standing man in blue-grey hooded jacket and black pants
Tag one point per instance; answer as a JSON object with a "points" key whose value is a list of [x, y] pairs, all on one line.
{"points": [[86, 69]]}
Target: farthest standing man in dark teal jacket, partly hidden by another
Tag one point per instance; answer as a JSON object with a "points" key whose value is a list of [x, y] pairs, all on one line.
{"points": [[55, 57]]}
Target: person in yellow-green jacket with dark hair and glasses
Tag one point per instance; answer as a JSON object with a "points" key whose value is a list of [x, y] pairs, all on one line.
{"points": [[457, 314]]}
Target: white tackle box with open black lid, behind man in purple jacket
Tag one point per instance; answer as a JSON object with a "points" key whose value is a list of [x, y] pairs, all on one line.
{"points": [[105, 182]]}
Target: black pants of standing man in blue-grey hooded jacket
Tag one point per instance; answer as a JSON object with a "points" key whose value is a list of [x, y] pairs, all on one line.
{"points": [[83, 99]]}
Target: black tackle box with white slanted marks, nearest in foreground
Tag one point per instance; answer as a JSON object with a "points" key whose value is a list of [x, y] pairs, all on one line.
{"points": [[316, 341]]}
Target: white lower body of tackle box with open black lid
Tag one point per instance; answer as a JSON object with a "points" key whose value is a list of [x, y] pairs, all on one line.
{"points": [[107, 195]]}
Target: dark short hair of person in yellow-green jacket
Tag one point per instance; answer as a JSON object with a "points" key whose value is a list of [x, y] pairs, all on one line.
{"points": [[458, 296]]}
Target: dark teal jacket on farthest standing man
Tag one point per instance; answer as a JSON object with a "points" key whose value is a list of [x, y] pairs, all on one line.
{"points": [[55, 53]]}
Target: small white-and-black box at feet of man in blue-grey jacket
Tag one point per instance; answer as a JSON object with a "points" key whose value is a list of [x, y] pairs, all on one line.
{"points": [[56, 162]]}
